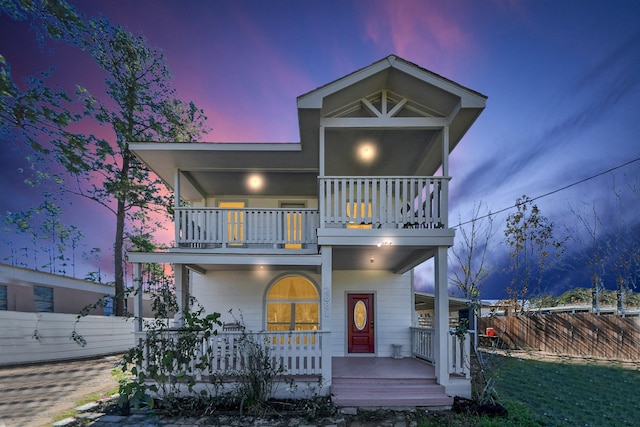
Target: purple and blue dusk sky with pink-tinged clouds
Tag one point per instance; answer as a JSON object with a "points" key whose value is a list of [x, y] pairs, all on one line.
{"points": [[562, 80]]}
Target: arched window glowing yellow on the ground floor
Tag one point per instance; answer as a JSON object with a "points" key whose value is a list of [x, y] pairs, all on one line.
{"points": [[293, 305]]}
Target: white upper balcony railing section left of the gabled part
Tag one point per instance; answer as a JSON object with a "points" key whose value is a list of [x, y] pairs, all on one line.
{"points": [[213, 227]]}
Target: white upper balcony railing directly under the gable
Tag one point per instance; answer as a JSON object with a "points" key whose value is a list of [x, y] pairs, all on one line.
{"points": [[400, 201]]}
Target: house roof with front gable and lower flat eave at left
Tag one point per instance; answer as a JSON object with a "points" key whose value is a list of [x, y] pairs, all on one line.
{"points": [[210, 168]]}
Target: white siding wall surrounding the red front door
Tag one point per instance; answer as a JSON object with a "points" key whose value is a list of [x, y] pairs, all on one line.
{"points": [[392, 308]]}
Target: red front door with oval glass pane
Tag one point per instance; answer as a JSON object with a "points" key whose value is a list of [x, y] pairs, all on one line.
{"points": [[360, 323]]}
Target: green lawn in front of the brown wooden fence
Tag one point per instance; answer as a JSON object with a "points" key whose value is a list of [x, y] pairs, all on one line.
{"points": [[570, 393]]}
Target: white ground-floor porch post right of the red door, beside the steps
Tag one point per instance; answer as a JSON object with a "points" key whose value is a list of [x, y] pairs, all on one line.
{"points": [[441, 307]]}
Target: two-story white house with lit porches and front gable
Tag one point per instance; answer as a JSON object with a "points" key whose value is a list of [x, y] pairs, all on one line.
{"points": [[319, 239]]}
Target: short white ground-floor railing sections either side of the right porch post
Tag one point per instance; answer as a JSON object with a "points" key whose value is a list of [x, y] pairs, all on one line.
{"points": [[423, 347]]}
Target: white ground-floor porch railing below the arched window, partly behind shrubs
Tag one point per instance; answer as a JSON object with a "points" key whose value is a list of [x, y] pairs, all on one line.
{"points": [[227, 353]]}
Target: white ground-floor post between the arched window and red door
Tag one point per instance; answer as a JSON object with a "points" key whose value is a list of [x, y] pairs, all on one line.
{"points": [[325, 320]]}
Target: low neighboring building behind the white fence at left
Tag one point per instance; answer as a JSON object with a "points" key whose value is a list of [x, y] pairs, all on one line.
{"points": [[26, 290]]}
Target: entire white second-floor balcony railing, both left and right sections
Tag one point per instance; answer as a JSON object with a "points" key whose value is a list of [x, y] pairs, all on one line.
{"points": [[344, 202]]}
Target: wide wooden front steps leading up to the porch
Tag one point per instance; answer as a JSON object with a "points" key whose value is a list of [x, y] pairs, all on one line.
{"points": [[389, 392]]}
